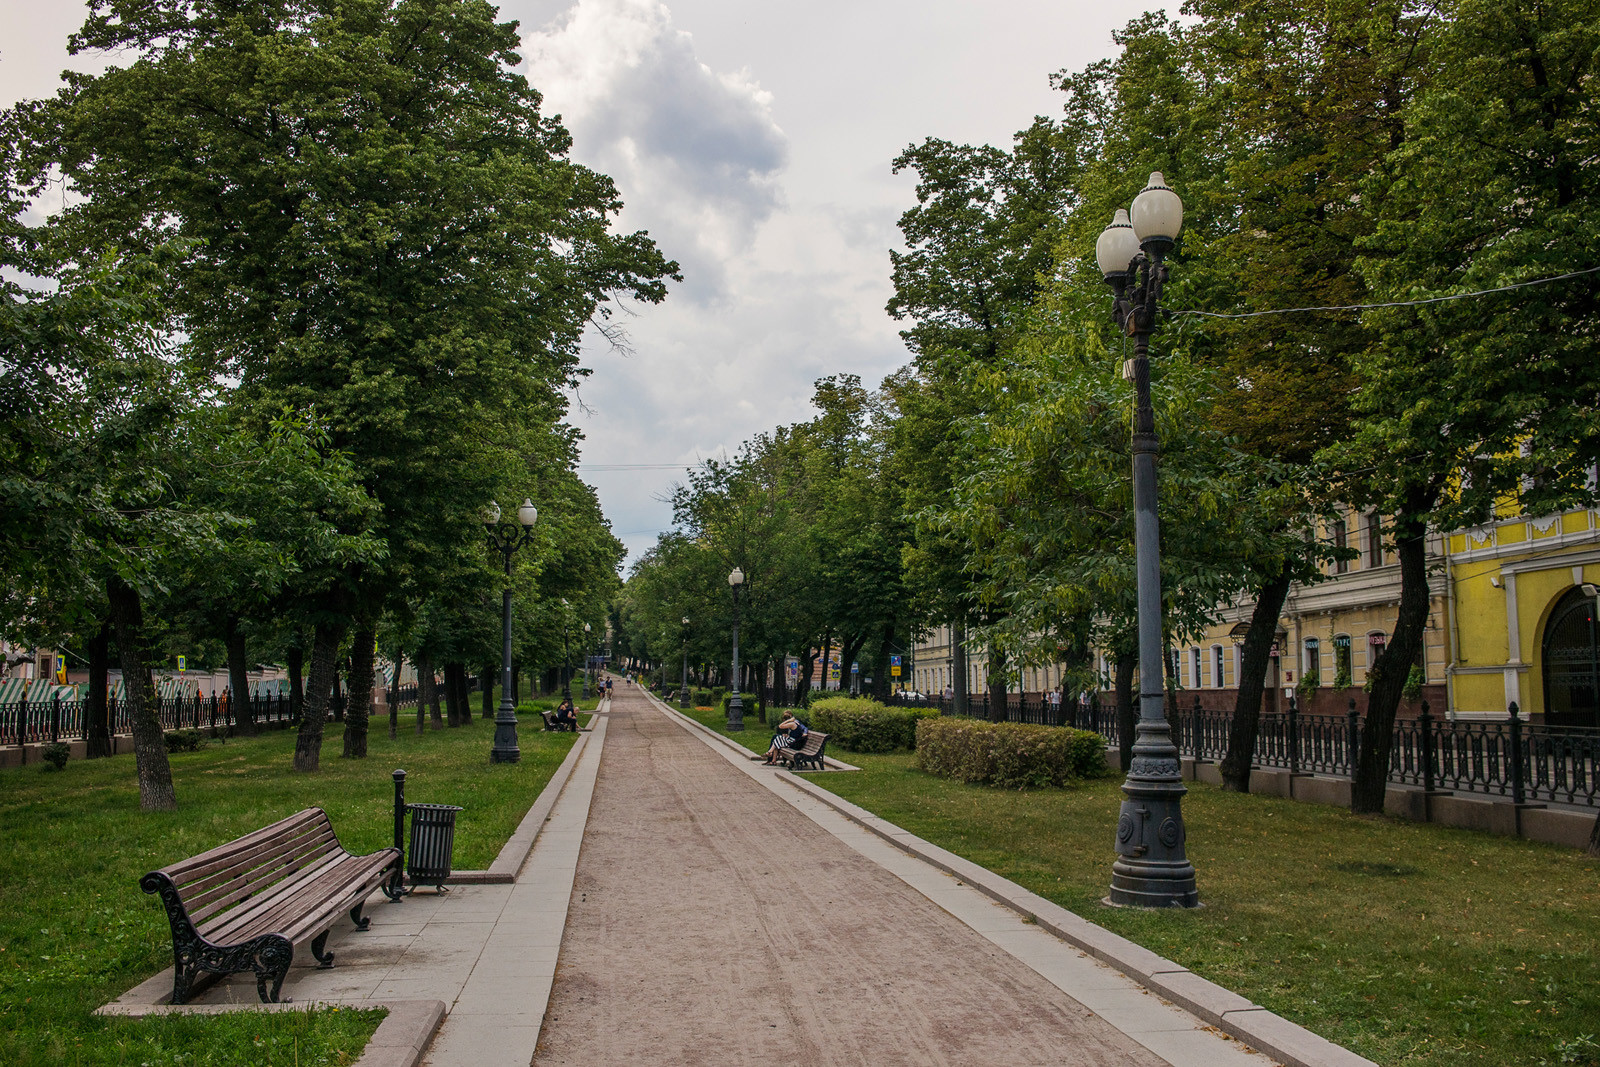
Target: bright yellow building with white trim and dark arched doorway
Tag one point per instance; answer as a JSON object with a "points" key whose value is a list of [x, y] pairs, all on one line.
{"points": [[1524, 620]]}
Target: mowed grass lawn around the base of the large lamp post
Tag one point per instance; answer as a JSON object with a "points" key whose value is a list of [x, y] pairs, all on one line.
{"points": [[1407, 943]]}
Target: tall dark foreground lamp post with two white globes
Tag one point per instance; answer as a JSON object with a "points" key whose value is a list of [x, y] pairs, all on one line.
{"points": [[1153, 868]]}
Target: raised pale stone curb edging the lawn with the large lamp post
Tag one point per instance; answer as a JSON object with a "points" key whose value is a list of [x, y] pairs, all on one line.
{"points": [[1250, 1023]]}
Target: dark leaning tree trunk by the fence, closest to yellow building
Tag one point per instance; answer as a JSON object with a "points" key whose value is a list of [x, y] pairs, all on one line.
{"points": [[1394, 666]]}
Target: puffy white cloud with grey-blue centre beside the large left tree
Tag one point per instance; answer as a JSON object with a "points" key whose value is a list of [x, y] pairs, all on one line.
{"points": [[697, 154]]}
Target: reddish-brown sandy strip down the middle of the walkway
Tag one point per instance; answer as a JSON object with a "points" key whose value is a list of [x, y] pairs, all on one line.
{"points": [[711, 924]]}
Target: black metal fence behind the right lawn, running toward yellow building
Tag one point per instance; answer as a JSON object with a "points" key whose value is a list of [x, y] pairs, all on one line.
{"points": [[1508, 757]]}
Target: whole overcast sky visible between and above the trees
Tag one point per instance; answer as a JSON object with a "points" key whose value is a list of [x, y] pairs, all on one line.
{"points": [[754, 142]]}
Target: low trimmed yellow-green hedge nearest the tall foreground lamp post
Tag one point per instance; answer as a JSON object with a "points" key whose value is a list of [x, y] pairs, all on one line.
{"points": [[1010, 756]]}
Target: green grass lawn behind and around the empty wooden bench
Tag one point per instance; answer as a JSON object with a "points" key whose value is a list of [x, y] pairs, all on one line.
{"points": [[76, 930]]}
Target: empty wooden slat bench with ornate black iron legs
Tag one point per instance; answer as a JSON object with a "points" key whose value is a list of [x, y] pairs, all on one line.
{"points": [[247, 905]]}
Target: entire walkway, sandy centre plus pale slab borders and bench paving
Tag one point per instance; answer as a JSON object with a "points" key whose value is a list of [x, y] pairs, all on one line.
{"points": [[686, 906]]}
